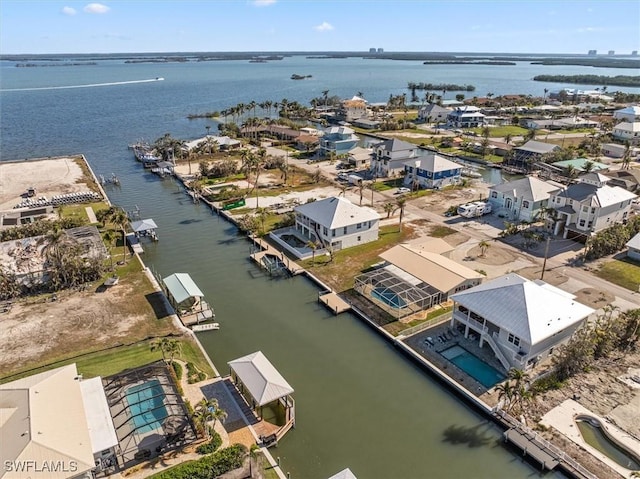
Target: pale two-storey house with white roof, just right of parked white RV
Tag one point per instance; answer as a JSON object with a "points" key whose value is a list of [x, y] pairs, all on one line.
{"points": [[521, 200]]}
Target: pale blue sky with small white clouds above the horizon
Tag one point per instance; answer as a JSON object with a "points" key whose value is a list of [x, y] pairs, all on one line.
{"points": [[512, 26]]}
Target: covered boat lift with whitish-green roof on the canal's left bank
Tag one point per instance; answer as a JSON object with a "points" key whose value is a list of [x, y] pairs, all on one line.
{"points": [[187, 299]]}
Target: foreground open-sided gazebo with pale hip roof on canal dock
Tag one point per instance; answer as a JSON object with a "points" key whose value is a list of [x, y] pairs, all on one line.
{"points": [[263, 387]]}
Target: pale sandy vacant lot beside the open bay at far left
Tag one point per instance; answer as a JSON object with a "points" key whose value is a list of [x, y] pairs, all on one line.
{"points": [[55, 176]]}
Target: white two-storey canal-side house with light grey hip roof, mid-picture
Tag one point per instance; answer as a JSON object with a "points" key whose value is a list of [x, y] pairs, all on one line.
{"points": [[336, 223]]}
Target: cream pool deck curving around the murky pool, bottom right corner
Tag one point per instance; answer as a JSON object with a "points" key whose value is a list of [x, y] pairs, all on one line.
{"points": [[562, 417]]}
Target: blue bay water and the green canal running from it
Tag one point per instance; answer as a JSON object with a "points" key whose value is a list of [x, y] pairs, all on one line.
{"points": [[360, 403]]}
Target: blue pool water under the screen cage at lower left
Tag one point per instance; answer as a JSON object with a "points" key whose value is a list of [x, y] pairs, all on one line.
{"points": [[146, 405]]}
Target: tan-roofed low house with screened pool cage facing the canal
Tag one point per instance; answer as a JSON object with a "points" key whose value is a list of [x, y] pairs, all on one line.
{"points": [[413, 279]]}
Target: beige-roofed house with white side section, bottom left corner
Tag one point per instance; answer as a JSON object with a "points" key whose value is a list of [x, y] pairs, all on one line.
{"points": [[57, 423]]}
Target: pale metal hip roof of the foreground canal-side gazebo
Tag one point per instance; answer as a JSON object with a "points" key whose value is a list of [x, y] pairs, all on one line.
{"points": [[261, 378]]}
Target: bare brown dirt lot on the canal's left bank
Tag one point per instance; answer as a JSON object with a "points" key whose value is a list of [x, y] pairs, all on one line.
{"points": [[40, 331]]}
